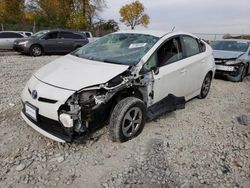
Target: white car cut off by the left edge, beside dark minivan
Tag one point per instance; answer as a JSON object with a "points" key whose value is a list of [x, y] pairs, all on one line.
{"points": [[7, 39]]}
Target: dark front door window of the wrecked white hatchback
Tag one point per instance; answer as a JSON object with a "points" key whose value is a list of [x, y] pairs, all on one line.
{"points": [[170, 52]]}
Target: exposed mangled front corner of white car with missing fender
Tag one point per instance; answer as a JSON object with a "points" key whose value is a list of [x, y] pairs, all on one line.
{"points": [[90, 107]]}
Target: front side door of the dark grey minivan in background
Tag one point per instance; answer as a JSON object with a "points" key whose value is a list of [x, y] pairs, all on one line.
{"points": [[50, 42]]}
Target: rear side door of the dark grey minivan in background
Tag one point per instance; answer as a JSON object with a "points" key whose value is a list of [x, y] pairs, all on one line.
{"points": [[66, 41]]}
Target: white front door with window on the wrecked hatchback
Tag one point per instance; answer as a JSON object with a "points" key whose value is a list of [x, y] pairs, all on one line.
{"points": [[171, 76]]}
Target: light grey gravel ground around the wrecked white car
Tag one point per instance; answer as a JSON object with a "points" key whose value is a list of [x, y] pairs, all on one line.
{"points": [[202, 145]]}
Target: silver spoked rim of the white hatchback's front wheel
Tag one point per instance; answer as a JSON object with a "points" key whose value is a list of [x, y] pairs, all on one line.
{"points": [[132, 121]]}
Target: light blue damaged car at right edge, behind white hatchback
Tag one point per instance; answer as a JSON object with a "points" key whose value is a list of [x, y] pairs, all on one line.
{"points": [[232, 58]]}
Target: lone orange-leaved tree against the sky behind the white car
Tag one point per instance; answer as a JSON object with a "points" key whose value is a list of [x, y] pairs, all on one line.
{"points": [[133, 15]]}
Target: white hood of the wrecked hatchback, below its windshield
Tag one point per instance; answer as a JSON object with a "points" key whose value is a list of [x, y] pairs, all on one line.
{"points": [[74, 73]]}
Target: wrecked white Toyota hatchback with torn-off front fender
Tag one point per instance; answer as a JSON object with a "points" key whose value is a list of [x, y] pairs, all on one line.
{"points": [[124, 78]]}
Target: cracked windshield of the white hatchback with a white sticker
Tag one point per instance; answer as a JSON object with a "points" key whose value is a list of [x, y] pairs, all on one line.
{"points": [[122, 48]]}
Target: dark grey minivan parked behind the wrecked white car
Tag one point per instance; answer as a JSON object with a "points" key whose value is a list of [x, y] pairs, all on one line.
{"points": [[50, 42]]}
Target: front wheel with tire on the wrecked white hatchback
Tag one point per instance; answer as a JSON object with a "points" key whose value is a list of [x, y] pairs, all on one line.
{"points": [[127, 119]]}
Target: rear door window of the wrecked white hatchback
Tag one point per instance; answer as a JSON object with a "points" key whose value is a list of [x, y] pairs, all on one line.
{"points": [[191, 46]]}
